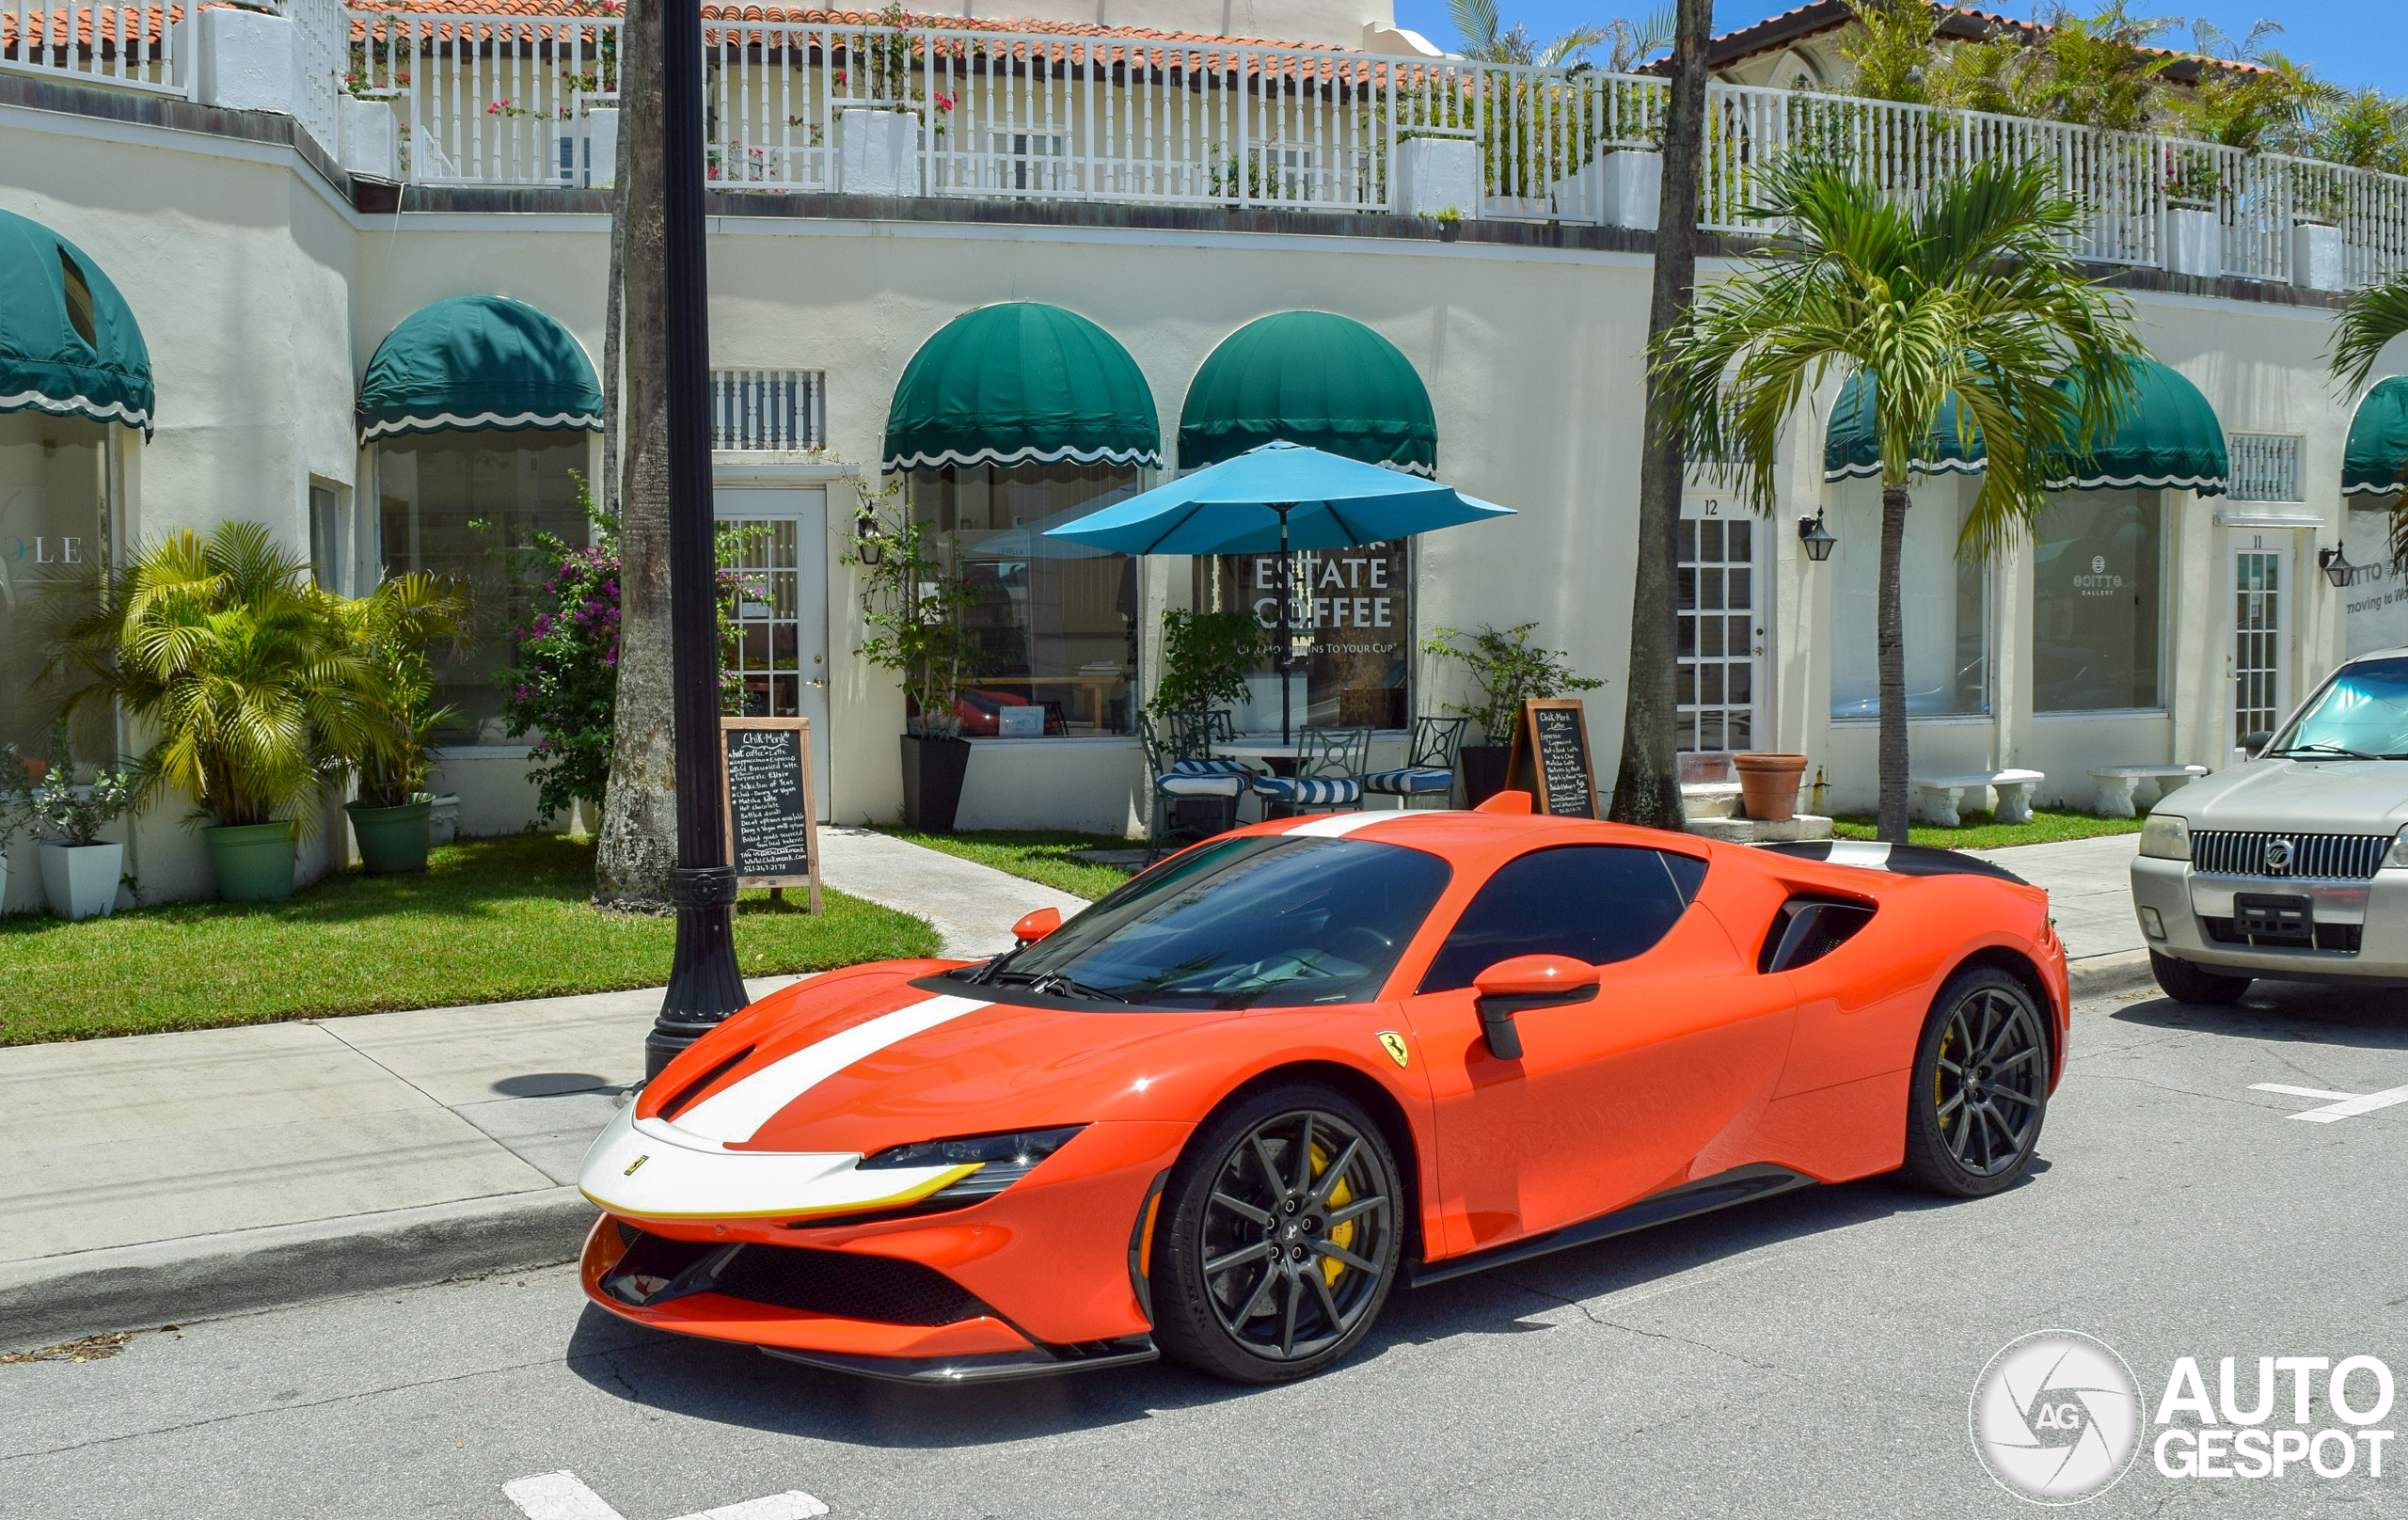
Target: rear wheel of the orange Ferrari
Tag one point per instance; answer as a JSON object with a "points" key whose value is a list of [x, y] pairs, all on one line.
{"points": [[1981, 1088]]}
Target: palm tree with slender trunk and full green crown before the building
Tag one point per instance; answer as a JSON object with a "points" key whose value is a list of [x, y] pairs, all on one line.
{"points": [[1964, 305]]}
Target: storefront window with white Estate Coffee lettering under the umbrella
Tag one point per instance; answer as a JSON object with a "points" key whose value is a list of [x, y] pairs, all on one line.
{"points": [[1352, 635]]}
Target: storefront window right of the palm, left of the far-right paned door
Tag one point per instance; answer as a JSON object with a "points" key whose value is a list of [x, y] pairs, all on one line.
{"points": [[2096, 589]]}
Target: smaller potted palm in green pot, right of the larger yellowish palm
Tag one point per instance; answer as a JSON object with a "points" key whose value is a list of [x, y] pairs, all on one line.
{"points": [[394, 625]]}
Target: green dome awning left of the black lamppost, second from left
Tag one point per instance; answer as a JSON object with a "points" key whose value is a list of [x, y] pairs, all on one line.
{"points": [[478, 363]]}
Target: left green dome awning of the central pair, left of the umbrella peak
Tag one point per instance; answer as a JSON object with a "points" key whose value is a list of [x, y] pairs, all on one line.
{"points": [[1022, 384]]}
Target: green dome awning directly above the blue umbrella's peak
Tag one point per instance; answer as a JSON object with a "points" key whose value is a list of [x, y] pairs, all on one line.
{"points": [[1316, 379]]}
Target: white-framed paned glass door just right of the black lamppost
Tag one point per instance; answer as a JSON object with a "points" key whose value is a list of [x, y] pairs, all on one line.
{"points": [[781, 649]]}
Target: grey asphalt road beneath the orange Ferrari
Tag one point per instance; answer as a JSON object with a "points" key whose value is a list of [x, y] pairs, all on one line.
{"points": [[1802, 1357]]}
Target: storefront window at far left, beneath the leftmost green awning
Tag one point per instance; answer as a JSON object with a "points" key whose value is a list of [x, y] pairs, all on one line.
{"points": [[54, 536]]}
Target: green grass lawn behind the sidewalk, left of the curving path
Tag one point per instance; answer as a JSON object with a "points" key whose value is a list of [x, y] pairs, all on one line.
{"points": [[490, 921]]}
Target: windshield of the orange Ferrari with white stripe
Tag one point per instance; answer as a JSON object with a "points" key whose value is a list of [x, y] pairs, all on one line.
{"points": [[1261, 921]]}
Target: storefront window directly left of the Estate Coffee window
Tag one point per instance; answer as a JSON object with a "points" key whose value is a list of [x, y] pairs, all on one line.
{"points": [[1056, 625]]}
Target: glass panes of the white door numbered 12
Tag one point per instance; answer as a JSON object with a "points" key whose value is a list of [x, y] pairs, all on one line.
{"points": [[1721, 635]]}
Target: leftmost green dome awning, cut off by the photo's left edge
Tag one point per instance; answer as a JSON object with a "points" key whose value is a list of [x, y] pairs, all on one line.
{"points": [[69, 343]]}
